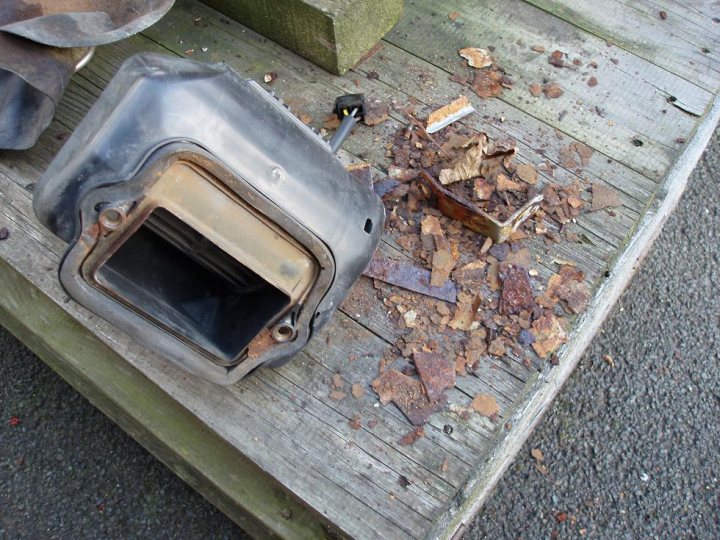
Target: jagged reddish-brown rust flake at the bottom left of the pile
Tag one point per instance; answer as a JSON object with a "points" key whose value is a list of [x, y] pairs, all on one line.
{"points": [[407, 393]]}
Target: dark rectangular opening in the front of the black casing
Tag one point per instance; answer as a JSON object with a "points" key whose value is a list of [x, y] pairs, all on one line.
{"points": [[174, 276]]}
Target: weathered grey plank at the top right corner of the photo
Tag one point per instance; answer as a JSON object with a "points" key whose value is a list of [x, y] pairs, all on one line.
{"points": [[637, 28]]}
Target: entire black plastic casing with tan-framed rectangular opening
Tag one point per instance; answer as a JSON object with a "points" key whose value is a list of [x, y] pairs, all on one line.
{"points": [[205, 219]]}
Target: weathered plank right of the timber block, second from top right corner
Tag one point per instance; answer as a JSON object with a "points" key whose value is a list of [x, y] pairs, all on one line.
{"points": [[632, 103]]}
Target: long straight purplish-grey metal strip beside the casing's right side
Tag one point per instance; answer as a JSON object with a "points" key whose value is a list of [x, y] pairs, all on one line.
{"points": [[408, 276]]}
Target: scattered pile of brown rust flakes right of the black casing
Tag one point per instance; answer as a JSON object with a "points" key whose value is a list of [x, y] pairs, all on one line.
{"points": [[459, 300]]}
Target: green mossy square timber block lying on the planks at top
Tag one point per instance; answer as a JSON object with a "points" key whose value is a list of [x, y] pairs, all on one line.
{"points": [[334, 34]]}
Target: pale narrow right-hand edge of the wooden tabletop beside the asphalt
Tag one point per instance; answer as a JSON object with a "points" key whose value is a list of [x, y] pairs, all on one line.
{"points": [[537, 401]]}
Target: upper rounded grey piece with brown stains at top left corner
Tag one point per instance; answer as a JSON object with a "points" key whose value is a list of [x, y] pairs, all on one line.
{"points": [[79, 23]]}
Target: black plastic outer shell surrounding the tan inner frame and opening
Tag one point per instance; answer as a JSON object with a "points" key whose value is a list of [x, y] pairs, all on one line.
{"points": [[159, 109]]}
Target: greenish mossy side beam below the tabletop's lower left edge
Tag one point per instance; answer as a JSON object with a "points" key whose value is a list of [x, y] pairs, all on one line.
{"points": [[229, 480]]}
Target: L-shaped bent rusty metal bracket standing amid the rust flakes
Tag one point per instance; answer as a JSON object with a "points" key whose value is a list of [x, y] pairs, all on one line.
{"points": [[472, 217]]}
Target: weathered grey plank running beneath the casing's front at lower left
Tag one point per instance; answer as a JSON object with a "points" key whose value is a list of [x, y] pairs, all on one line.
{"points": [[260, 419]]}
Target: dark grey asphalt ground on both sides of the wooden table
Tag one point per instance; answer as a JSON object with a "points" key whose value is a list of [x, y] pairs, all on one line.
{"points": [[630, 451]]}
